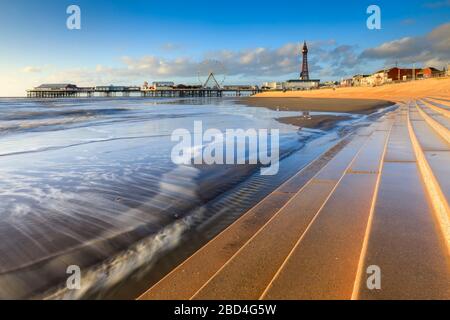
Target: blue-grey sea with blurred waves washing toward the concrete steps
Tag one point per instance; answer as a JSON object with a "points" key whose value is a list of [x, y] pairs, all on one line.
{"points": [[90, 183]]}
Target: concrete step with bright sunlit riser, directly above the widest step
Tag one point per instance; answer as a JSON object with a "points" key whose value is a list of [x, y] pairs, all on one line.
{"points": [[433, 157]]}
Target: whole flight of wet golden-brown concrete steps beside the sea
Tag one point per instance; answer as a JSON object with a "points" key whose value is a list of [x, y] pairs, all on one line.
{"points": [[381, 200]]}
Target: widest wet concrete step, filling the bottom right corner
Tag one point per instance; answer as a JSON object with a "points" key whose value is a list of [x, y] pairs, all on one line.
{"points": [[403, 239]]}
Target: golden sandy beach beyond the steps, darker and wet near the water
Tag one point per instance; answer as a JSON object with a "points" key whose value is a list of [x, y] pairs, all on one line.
{"points": [[363, 100]]}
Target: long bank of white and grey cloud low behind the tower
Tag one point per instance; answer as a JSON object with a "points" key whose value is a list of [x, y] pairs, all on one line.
{"points": [[328, 59]]}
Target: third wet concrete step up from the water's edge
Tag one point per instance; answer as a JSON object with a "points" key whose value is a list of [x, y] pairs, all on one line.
{"points": [[325, 260]]}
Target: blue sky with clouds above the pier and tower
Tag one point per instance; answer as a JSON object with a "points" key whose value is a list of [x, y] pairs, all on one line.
{"points": [[127, 42]]}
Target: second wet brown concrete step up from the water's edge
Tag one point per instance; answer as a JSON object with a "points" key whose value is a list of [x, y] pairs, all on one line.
{"points": [[250, 270]]}
